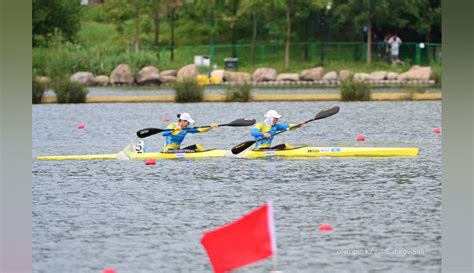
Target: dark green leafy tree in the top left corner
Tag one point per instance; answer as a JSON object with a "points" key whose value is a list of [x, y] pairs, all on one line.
{"points": [[51, 15]]}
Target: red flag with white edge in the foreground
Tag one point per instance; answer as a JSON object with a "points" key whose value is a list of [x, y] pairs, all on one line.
{"points": [[247, 240]]}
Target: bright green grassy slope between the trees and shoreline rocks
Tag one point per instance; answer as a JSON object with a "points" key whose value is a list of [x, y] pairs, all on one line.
{"points": [[99, 47]]}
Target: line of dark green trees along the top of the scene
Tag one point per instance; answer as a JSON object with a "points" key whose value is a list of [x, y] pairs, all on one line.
{"points": [[246, 21]]}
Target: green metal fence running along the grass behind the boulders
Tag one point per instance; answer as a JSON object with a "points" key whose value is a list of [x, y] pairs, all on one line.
{"points": [[314, 53]]}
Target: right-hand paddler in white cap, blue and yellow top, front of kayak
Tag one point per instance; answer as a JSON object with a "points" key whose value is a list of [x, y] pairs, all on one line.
{"points": [[263, 131]]}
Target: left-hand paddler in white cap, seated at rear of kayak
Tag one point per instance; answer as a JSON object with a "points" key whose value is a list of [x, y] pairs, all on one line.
{"points": [[174, 138]]}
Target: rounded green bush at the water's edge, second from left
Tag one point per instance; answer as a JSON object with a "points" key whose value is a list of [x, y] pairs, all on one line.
{"points": [[69, 92]]}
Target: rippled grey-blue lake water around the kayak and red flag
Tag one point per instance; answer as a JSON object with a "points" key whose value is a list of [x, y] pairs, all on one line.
{"points": [[88, 215]]}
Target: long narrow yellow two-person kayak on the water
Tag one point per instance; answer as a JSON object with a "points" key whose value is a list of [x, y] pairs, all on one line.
{"points": [[301, 152]]}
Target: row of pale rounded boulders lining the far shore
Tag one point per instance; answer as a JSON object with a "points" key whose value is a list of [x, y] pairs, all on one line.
{"points": [[122, 75]]}
